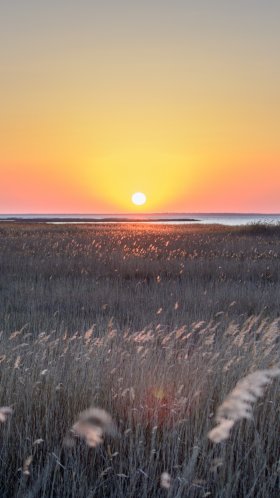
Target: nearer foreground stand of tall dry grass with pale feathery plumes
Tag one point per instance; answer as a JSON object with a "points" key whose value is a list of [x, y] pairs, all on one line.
{"points": [[162, 390]]}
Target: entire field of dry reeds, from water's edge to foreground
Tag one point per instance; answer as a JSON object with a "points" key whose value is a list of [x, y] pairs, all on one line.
{"points": [[155, 325]]}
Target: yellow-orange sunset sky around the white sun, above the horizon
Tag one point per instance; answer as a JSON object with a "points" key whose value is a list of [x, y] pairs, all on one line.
{"points": [[176, 99]]}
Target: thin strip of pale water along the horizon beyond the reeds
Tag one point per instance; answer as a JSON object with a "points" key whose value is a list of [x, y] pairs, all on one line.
{"points": [[173, 218]]}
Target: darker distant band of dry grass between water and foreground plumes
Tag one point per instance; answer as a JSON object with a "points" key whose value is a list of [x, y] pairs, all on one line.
{"points": [[69, 277]]}
